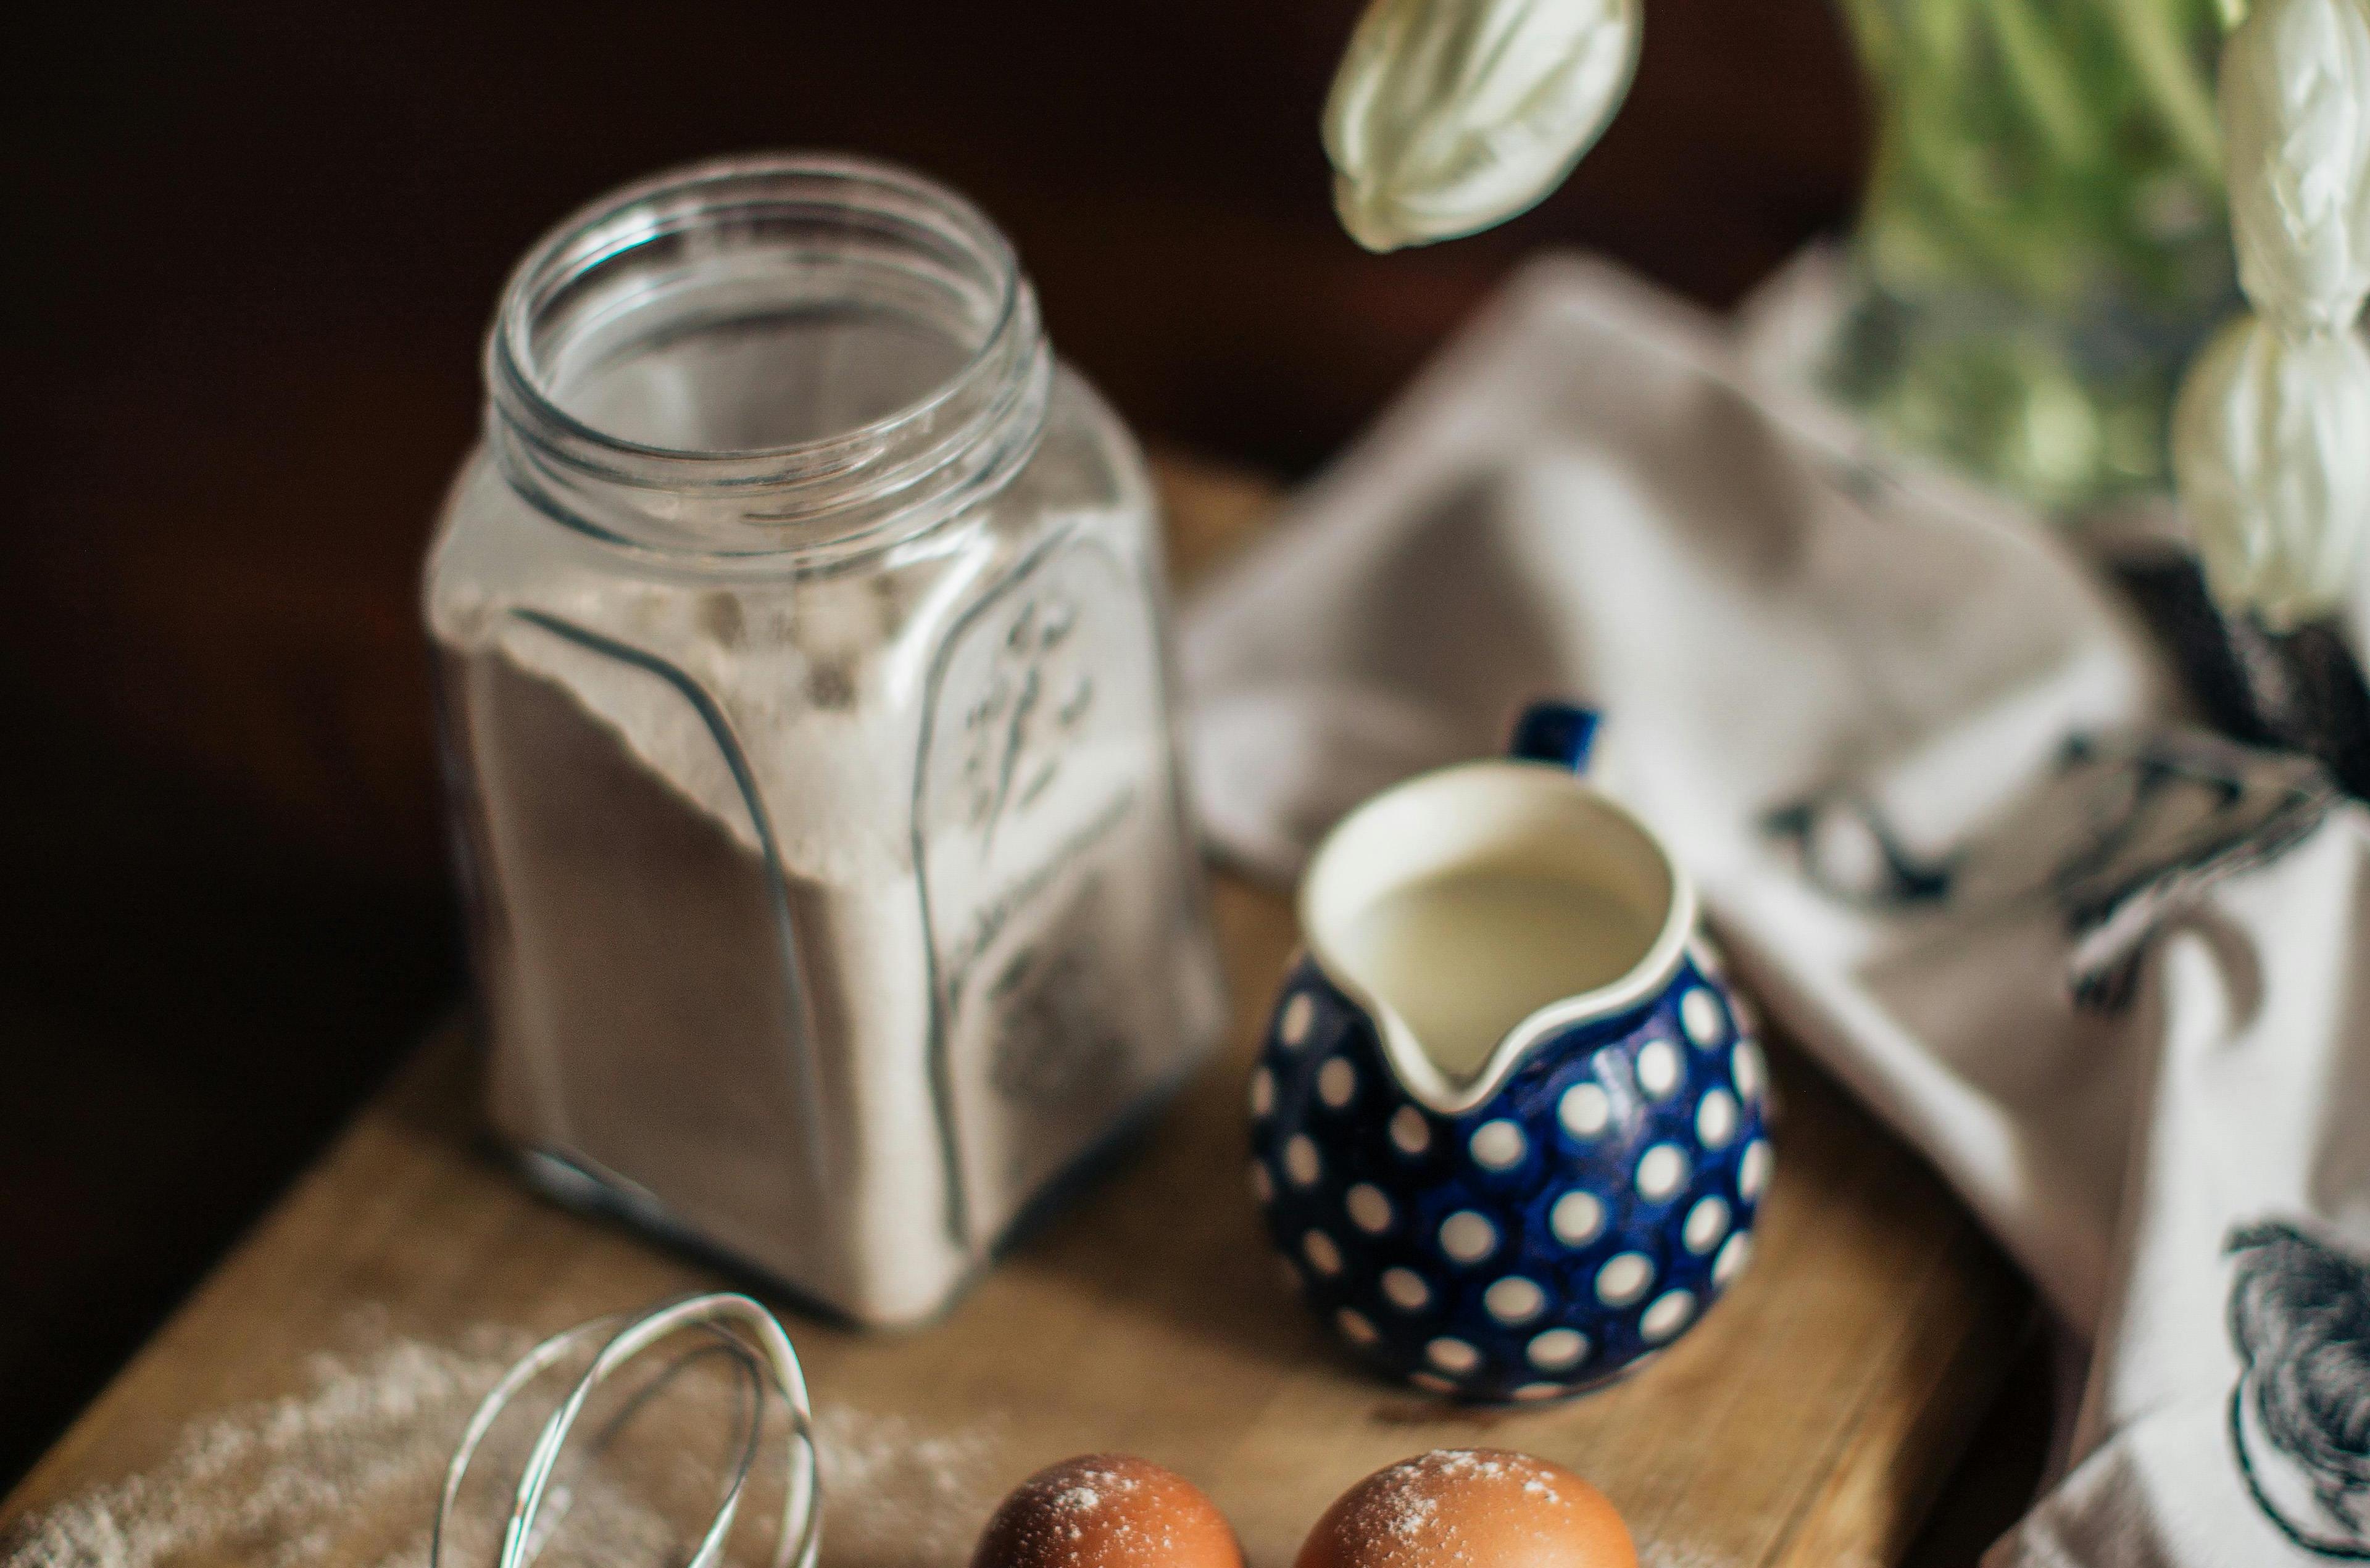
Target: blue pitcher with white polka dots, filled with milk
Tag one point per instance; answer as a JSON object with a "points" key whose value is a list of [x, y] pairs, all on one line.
{"points": [[1509, 1119]]}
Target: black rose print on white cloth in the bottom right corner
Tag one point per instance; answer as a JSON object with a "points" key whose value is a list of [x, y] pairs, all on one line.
{"points": [[2300, 1413]]}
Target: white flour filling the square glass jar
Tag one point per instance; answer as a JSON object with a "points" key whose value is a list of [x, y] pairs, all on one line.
{"points": [[833, 915]]}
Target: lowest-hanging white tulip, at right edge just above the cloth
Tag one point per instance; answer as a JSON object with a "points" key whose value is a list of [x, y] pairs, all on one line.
{"points": [[2272, 451]]}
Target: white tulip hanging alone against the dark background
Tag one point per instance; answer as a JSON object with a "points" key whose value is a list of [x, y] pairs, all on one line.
{"points": [[1454, 115]]}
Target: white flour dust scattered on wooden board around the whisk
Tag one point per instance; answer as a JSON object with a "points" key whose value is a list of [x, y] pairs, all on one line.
{"points": [[350, 1472]]}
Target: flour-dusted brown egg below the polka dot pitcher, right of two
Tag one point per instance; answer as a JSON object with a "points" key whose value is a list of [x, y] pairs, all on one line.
{"points": [[1471, 1508]]}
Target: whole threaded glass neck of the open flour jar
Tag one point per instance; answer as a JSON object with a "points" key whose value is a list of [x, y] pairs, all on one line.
{"points": [[776, 231]]}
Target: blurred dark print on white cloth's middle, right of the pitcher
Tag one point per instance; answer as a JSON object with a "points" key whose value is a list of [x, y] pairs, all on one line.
{"points": [[2120, 837]]}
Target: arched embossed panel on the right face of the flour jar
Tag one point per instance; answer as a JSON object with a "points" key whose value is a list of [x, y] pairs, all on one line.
{"points": [[1044, 835]]}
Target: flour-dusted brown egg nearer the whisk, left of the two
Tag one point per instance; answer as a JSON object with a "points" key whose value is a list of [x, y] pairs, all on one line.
{"points": [[1108, 1512]]}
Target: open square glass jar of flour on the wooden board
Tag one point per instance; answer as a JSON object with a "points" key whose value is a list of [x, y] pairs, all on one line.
{"points": [[802, 653]]}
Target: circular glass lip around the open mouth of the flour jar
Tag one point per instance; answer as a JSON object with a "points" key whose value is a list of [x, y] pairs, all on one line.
{"points": [[632, 217]]}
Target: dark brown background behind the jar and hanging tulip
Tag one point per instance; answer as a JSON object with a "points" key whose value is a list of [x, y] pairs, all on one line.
{"points": [[250, 255]]}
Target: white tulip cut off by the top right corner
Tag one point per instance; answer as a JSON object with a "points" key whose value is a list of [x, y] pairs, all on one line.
{"points": [[2295, 110]]}
